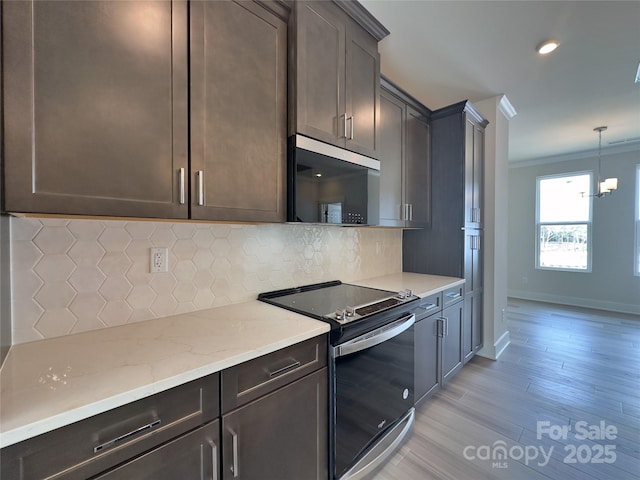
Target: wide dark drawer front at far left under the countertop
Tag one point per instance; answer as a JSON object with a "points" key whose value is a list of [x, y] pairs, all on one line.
{"points": [[98, 443]]}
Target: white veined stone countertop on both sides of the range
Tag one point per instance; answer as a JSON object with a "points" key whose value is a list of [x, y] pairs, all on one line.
{"points": [[51, 383]]}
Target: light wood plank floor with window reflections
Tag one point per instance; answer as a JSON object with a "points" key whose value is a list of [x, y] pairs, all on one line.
{"points": [[564, 366]]}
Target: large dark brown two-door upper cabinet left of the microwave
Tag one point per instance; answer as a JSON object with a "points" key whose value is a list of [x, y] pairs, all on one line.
{"points": [[96, 109]]}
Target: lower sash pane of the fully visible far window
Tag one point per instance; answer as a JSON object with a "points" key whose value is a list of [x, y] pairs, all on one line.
{"points": [[563, 246]]}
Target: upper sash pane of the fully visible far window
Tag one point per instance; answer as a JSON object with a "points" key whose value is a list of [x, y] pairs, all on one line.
{"points": [[561, 199]]}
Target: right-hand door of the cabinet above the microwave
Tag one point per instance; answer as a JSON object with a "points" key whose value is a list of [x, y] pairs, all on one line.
{"points": [[362, 91]]}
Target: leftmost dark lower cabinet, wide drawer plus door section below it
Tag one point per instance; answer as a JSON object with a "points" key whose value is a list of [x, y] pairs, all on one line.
{"points": [[174, 428]]}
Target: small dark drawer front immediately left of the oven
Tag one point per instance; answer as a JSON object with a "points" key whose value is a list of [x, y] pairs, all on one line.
{"points": [[250, 380]]}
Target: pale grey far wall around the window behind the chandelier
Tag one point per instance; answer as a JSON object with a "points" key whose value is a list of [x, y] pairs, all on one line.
{"points": [[611, 284]]}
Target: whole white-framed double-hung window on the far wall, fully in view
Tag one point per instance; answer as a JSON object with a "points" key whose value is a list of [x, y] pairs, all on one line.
{"points": [[563, 218]]}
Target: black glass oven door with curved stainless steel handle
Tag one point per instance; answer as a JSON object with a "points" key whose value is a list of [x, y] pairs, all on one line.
{"points": [[373, 392]]}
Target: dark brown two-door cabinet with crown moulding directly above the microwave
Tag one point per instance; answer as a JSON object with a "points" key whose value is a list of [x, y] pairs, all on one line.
{"points": [[335, 75]]}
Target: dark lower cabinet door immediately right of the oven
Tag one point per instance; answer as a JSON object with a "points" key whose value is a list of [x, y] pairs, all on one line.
{"points": [[427, 356]]}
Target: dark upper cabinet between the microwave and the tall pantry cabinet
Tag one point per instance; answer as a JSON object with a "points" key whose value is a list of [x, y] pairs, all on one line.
{"points": [[405, 170]]}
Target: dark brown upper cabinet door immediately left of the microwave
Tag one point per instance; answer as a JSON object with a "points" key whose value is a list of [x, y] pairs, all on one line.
{"points": [[238, 112]]}
